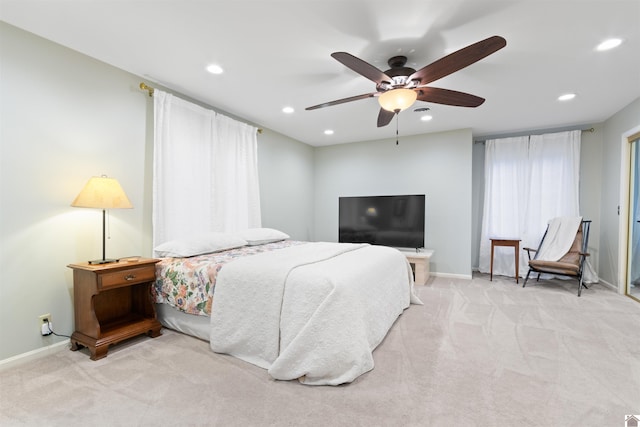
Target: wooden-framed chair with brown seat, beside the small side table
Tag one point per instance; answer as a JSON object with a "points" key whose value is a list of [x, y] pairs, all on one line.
{"points": [[571, 264]]}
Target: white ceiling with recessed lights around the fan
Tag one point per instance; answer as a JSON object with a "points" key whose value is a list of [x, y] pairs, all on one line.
{"points": [[276, 53]]}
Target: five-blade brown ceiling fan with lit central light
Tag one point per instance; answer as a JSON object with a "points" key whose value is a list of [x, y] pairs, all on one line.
{"points": [[400, 86]]}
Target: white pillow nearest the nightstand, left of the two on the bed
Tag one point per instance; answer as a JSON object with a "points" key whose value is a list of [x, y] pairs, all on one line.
{"points": [[207, 243]]}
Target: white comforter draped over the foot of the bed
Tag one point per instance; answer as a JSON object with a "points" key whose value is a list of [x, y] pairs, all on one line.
{"points": [[314, 312]]}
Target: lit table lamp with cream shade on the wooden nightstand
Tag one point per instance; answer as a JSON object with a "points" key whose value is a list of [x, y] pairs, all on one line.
{"points": [[102, 193]]}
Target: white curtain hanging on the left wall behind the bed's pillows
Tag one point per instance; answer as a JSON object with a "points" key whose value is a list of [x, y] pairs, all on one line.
{"points": [[205, 171]]}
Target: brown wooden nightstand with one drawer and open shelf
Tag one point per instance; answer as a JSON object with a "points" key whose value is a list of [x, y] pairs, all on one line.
{"points": [[112, 302]]}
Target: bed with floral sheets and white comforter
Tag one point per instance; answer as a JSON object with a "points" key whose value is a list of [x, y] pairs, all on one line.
{"points": [[311, 311]]}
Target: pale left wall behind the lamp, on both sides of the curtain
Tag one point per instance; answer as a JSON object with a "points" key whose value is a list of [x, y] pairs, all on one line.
{"points": [[66, 117]]}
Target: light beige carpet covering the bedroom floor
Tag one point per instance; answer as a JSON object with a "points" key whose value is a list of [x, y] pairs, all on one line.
{"points": [[478, 353]]}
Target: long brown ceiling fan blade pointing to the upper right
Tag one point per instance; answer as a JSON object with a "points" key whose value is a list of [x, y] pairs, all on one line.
{"points": [[458, 60]]}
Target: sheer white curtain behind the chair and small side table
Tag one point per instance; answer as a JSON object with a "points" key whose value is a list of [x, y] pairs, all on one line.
{"points": [[528, 181]]}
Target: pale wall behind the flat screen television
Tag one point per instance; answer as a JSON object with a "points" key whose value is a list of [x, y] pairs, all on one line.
{"points": [[437, 165]]}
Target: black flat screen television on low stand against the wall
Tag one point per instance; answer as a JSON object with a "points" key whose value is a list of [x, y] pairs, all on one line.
{"points": [[396, 221]]}
